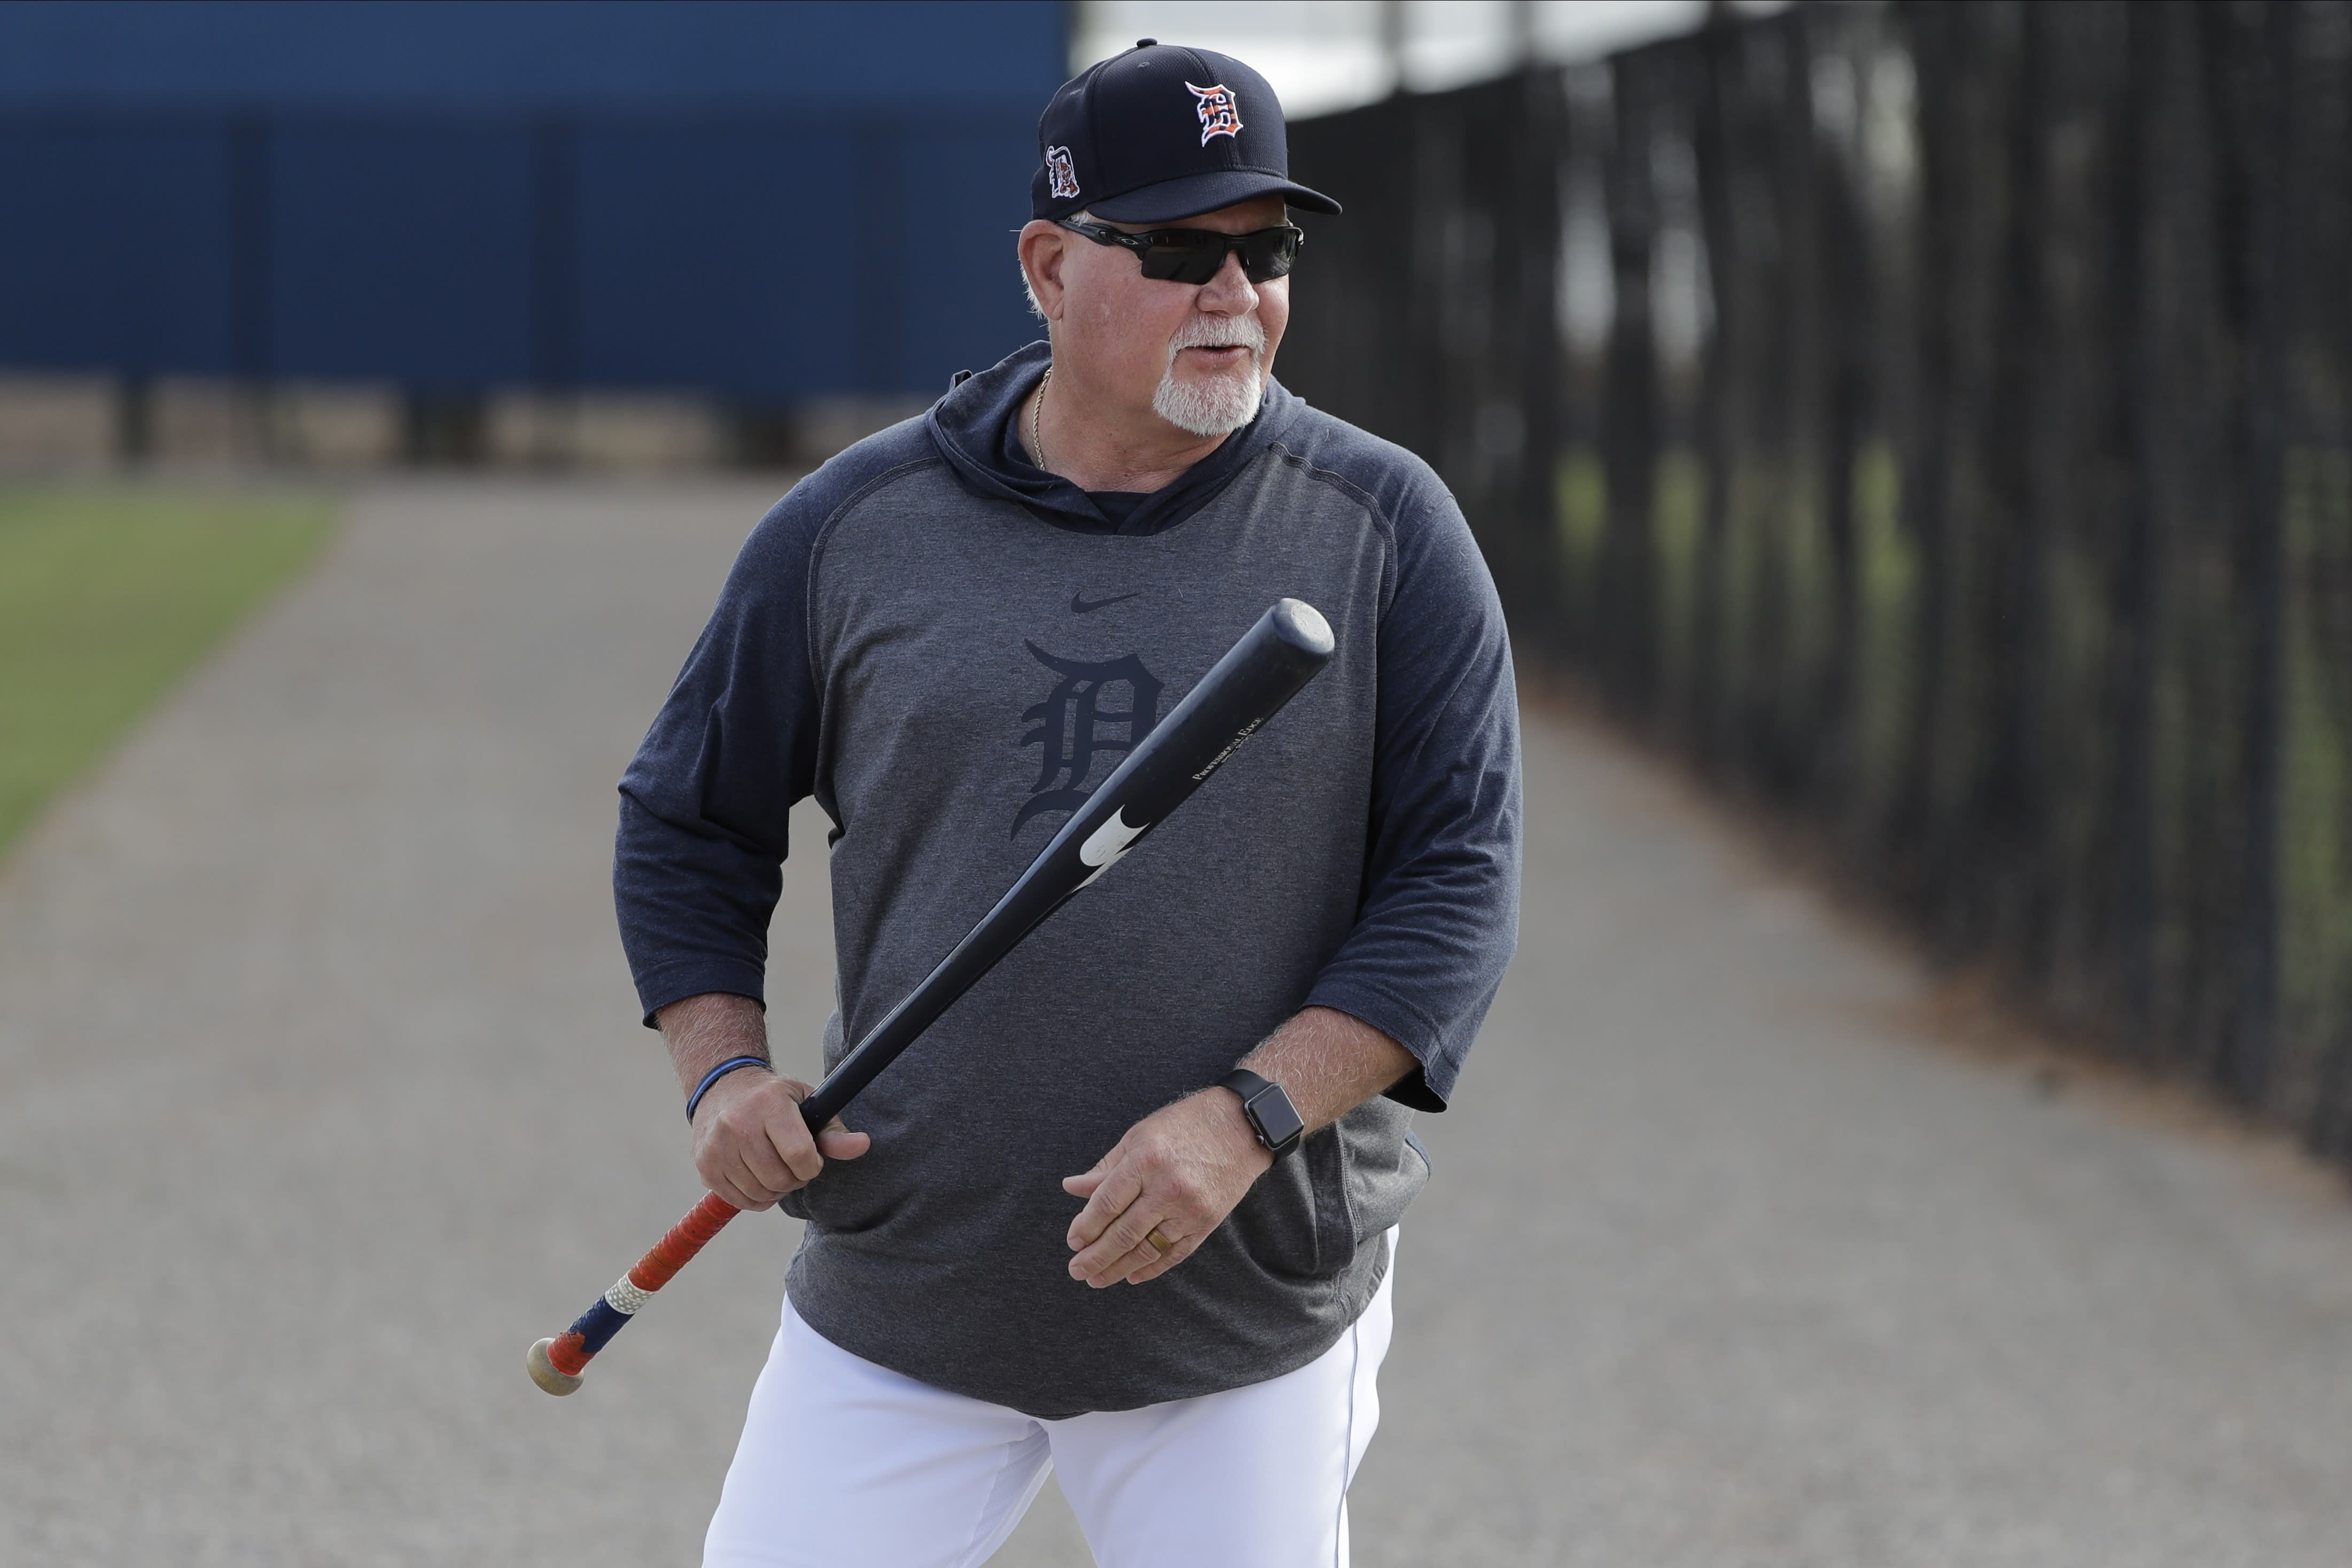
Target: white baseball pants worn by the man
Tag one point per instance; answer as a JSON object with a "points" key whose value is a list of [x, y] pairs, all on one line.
{"points": [[853, 1466]]}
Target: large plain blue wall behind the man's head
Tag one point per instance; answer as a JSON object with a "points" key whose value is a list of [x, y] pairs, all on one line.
{"points": [[763, 201]]}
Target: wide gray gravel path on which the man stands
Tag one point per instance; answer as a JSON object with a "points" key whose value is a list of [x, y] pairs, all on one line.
{"points": [[321, 1097]]}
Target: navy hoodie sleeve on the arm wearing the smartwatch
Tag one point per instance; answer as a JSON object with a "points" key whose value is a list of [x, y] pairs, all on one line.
{"points": [[1441, 909]]}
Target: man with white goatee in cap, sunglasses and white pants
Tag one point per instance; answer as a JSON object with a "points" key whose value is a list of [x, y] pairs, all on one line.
{"points": [[1128, 1212]]}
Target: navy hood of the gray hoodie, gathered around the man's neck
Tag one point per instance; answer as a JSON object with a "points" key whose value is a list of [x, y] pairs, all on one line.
{"points": [[975, 429]]}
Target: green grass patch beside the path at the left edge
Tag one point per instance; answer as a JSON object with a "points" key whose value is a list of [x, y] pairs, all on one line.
{"points": [[107, 598]]}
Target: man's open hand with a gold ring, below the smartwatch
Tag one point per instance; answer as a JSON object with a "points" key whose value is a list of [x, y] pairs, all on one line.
{"points": [[1177, 1172]]}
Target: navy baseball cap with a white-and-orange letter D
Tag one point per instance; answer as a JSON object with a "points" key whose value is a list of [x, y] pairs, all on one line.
{"points": [[1158, 135]]}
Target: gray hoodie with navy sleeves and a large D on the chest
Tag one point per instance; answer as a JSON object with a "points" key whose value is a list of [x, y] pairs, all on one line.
{"points": [[949, 648]]}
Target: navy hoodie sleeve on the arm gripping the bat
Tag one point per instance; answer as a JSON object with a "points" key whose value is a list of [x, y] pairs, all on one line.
{"points": [[704, 803]]}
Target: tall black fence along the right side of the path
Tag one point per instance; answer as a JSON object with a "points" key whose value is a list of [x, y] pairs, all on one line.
{"points": [[1935, 420]]}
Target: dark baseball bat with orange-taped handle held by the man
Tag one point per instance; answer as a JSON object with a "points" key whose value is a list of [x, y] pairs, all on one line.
{"points": [[1248, 688]]}
